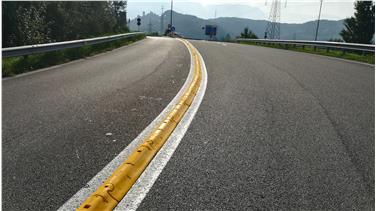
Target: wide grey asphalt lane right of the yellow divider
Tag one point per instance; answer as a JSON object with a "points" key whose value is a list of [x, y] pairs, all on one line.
{"points": [[277, 130]]}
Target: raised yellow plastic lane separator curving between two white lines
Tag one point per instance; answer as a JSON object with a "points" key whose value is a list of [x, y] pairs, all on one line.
{"points": [[110, 193]]}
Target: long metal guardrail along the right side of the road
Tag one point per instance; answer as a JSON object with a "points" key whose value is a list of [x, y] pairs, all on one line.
{"points": [[319, 44]]}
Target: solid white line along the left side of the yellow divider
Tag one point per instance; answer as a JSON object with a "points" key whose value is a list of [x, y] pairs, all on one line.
{"points": [[76, 200]]}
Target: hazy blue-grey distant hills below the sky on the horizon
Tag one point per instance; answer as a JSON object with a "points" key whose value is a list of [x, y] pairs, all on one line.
{"points": [[191, 27]]}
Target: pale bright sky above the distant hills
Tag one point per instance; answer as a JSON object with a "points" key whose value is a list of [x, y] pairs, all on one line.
{"points": [[292, 11]]}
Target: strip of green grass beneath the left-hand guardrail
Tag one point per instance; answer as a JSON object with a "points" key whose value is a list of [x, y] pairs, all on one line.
{"points": [[16, 65]]}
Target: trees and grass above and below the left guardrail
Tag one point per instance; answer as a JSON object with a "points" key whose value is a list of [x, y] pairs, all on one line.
{"points": [[37, 22]]}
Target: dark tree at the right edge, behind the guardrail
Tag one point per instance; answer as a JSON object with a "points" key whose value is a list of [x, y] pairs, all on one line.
{"points": [[361, 27]]}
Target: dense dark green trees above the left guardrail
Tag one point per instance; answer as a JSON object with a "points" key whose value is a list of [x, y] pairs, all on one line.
{"points": [[35, 22]]}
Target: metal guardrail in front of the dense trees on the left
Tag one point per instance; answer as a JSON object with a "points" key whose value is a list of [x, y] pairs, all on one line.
{"points": [[41, 48]]}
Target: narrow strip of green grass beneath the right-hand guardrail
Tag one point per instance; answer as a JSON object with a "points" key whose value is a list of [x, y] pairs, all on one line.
{"points": [[350, 55]]}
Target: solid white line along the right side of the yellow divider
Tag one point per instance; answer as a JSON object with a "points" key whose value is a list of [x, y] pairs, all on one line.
{"points": [[137, 193]]}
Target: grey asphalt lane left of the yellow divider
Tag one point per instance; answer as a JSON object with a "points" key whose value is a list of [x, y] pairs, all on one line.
{"points": [[55, 121]]}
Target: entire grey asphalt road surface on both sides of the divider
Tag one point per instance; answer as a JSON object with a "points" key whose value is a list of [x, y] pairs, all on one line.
{"points": [[276, 129]]}
